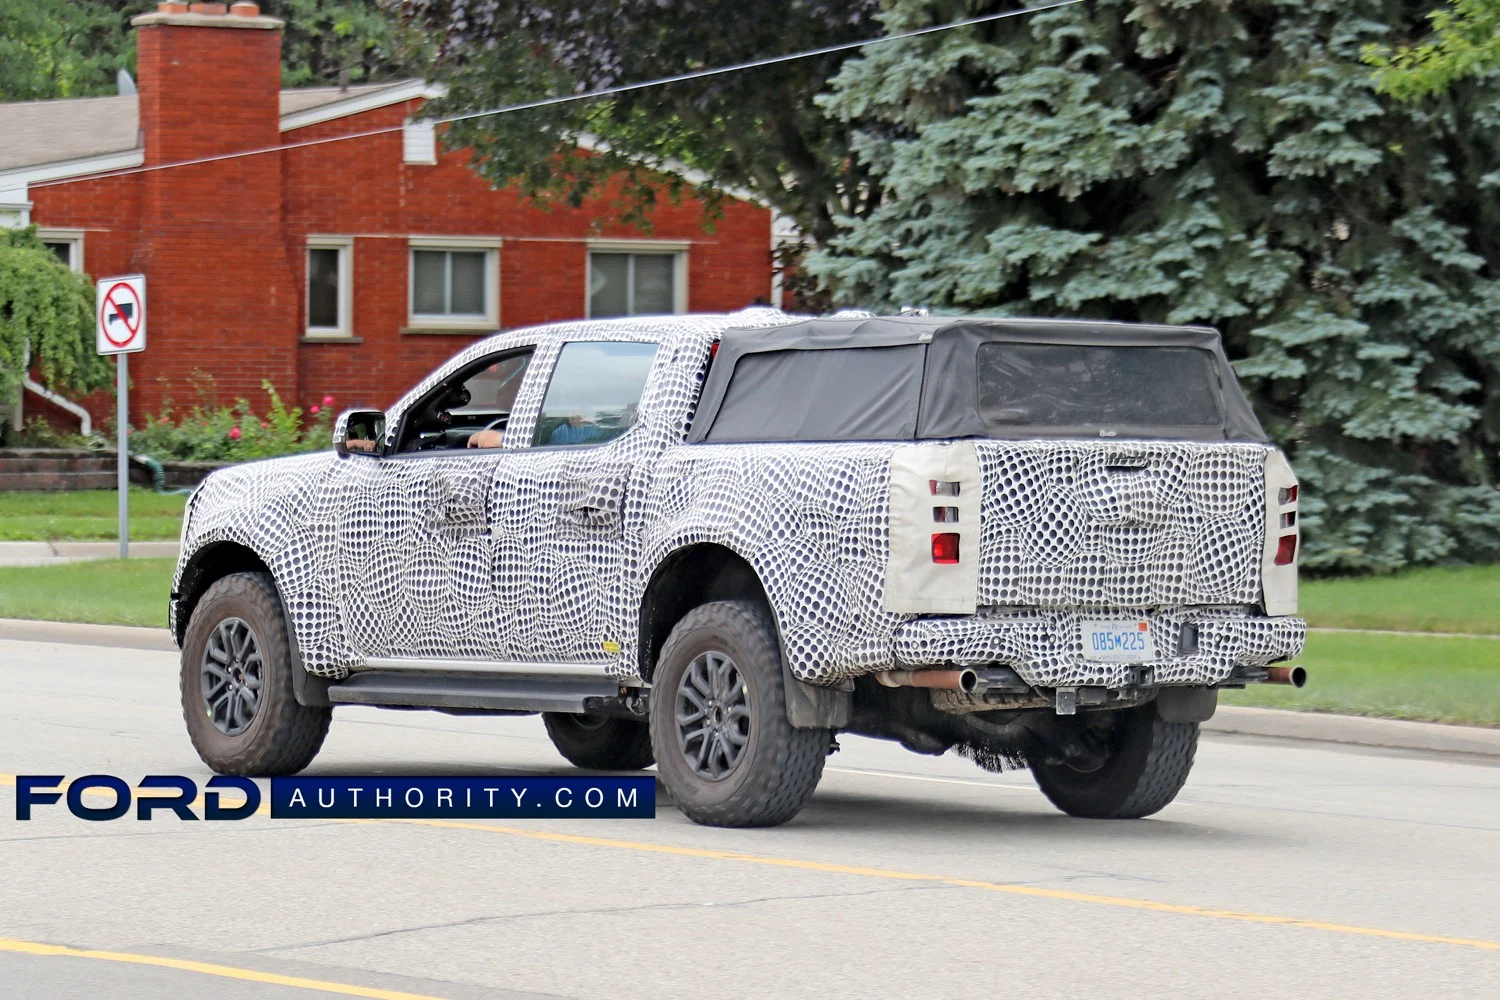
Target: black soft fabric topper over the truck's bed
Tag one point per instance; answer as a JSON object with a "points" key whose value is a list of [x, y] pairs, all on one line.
{"points": [[941, 377]]}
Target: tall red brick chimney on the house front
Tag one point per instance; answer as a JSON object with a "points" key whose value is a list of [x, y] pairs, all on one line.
{"points": [[212, 242]]}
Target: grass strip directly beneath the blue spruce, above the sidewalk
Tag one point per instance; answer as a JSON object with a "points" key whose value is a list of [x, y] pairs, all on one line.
{"points": [[1444, 599]]}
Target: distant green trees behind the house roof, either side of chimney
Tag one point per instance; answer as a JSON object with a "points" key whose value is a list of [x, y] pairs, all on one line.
{"points": [[74, 49]]}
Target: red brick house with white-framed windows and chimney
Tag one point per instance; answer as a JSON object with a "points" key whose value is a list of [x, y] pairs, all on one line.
{"points": [[349, 268]]}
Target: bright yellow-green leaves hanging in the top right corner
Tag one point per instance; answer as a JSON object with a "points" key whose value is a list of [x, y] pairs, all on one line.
{"points": [[1465, 43]]}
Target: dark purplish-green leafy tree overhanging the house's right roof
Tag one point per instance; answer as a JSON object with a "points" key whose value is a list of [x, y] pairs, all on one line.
{"points": [[755, 131]]}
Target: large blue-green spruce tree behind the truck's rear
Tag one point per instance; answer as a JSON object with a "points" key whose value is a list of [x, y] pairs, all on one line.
{"points": [[1199, 163]]}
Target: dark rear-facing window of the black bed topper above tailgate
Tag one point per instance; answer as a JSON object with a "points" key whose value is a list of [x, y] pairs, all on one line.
{"points": [[1081, 386]]}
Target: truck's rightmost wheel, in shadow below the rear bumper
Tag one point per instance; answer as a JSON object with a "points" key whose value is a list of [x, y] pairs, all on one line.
{"points": [[1123, 765]]}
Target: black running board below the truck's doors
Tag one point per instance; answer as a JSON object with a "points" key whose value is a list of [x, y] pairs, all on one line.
{"points": [[475, 692]]}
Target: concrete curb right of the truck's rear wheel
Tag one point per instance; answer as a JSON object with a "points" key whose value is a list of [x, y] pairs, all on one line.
{"points": [[1355, 731]]}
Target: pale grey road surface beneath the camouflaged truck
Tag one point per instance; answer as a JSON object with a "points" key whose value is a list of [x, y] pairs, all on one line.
{"points": [[1285, 870]]}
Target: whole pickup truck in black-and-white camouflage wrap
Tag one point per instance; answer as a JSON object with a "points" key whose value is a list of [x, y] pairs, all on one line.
{"points": [[718, 542]]}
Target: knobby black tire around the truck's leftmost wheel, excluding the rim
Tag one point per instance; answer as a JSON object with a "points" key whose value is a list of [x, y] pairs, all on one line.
{"points": [[284, 737]]}
